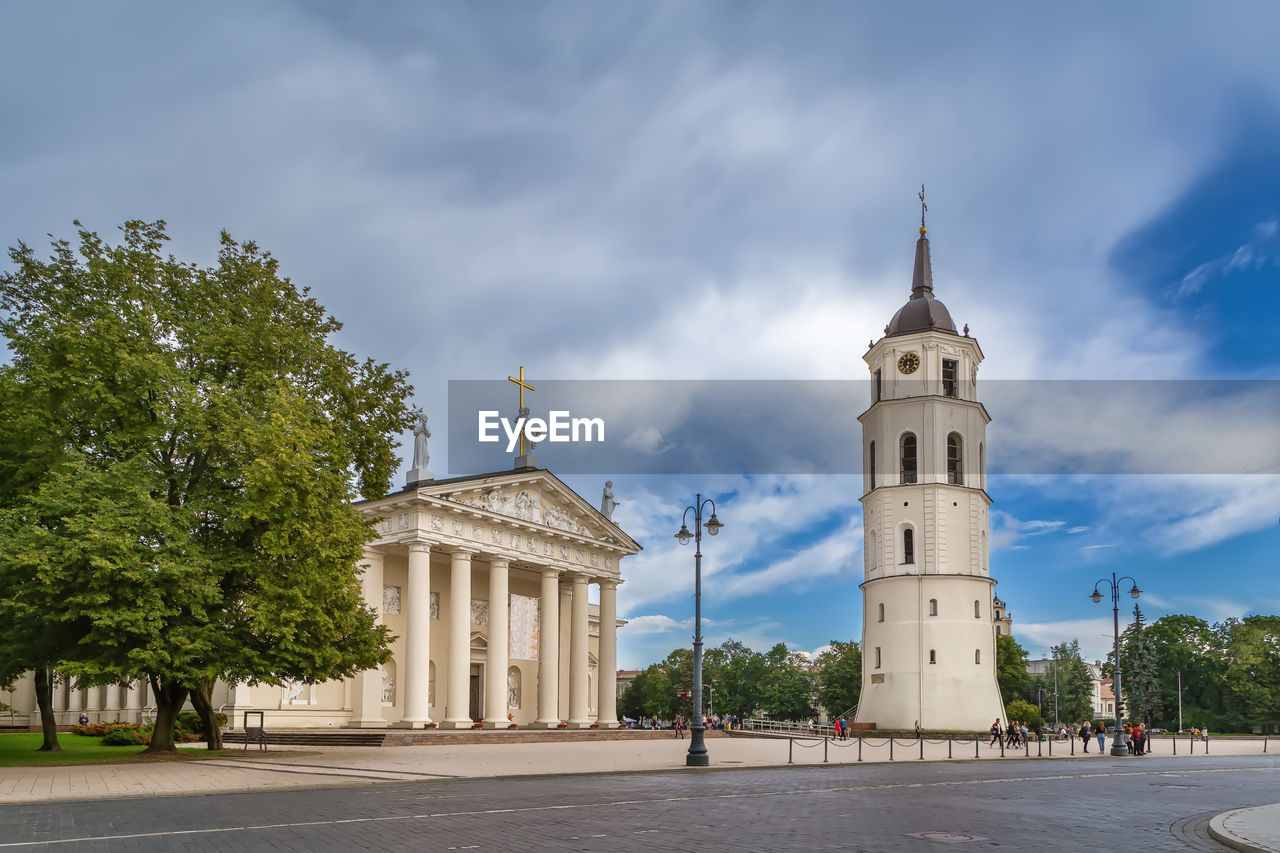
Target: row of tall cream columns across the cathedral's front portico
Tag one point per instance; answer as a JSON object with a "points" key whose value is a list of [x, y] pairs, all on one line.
{"points": [[552, 659]]}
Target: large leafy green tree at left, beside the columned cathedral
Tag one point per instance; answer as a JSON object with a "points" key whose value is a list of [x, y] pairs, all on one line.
{"points": [[177, 491]]}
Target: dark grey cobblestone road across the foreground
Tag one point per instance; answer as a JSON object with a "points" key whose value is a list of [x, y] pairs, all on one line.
{"points": [[1159, 805]]}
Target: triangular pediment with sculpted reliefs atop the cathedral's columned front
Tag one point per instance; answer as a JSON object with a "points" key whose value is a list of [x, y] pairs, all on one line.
{"points": [[532, 498]]}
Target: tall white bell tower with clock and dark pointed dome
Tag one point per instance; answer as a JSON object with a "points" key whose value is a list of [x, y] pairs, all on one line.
{"points": [[929, 637]]}
